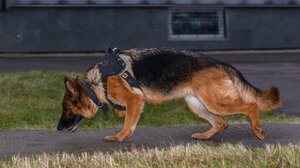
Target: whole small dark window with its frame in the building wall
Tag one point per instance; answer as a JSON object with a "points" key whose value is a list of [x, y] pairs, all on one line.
{"points": [[196, 25]]}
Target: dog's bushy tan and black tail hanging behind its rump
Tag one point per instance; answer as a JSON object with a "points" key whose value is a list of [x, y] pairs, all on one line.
{"points": [[265, 100]]}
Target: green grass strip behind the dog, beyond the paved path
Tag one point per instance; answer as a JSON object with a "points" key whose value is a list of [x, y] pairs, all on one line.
{"points": [[32, 100]]}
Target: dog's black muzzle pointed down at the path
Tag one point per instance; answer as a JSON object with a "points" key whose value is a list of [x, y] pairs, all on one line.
{"points": [[69, 125]]}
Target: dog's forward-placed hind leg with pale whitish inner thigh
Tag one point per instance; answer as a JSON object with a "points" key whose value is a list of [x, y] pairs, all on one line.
{"points": [[218, 124]]}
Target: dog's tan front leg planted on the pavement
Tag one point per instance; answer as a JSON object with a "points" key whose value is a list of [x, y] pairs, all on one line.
{"points": [[134, 107]]}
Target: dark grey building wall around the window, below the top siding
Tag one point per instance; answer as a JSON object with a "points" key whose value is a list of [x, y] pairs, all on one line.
{"points": [[69, 29]]}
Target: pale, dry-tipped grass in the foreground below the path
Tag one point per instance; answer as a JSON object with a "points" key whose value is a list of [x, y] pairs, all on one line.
{"points": [[193, 155]]}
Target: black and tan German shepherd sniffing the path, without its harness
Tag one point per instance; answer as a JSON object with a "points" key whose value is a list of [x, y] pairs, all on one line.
{"points": [[210, 88]]}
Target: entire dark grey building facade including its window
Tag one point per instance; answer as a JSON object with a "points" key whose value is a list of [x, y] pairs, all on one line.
{"points": [[91, 25]]}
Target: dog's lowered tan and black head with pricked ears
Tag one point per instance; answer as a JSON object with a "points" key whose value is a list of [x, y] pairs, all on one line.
{"points": [[76, 105]]}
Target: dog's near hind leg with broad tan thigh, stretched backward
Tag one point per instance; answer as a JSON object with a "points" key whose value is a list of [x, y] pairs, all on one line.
{"points": [[216, 90]]}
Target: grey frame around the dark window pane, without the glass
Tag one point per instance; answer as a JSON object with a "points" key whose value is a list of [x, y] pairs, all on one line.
{"points": [[198, 37]]}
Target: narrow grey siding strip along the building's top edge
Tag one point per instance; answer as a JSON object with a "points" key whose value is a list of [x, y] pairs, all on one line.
{"points": [[149, 2]]}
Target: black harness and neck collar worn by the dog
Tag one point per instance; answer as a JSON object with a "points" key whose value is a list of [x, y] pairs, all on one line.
{"points": [[111, 66]]}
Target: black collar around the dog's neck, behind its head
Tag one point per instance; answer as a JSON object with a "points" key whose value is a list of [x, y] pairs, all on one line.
{"points": [[91, 94]]}
